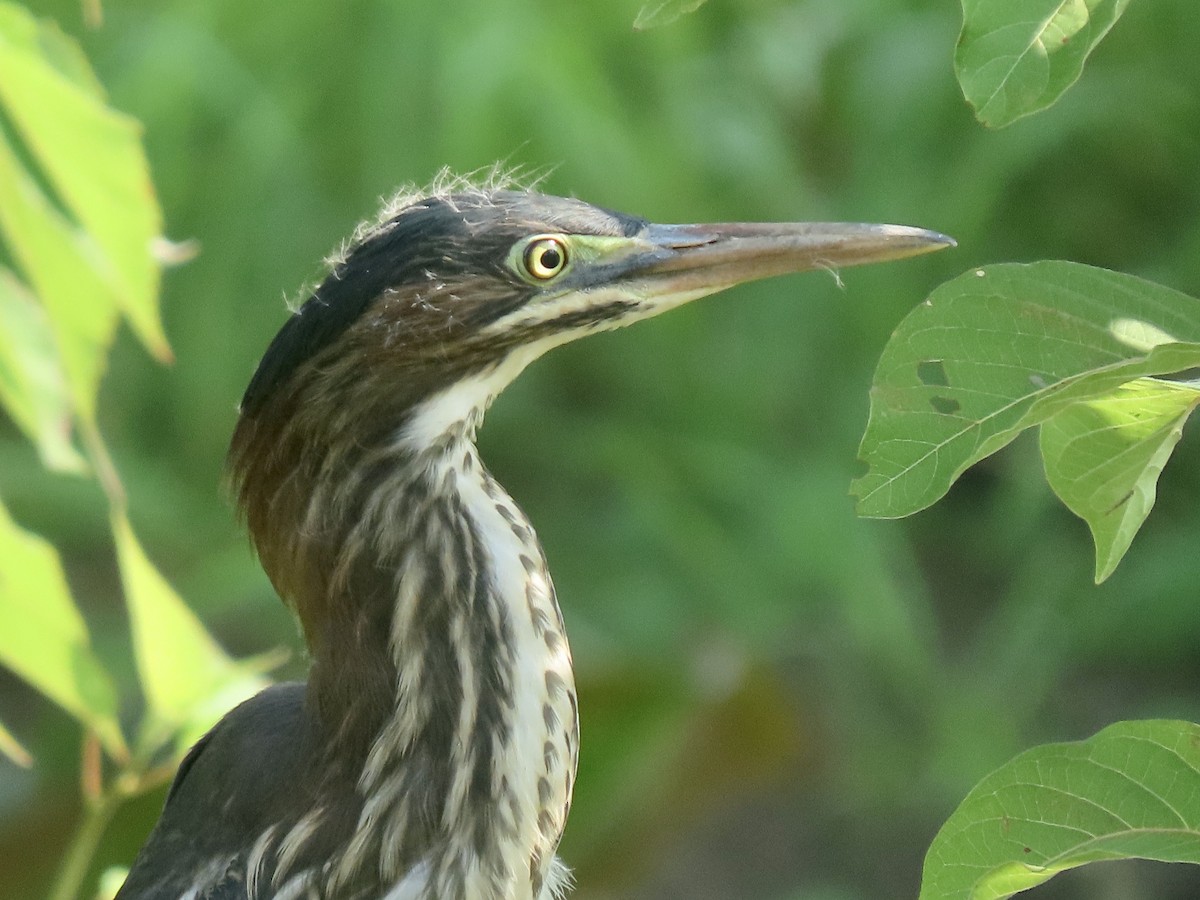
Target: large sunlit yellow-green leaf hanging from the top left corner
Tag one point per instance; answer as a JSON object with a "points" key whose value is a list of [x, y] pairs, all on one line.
{"points": [[92, 157]]}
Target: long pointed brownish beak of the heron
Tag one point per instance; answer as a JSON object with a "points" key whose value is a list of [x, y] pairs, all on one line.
{"points": [[710, 257]]}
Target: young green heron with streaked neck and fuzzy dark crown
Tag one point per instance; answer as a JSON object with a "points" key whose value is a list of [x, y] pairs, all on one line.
{"points": [[431, 754]]}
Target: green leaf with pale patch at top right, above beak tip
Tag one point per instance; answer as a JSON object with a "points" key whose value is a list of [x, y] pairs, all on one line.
{"points": [[1018, 57]]}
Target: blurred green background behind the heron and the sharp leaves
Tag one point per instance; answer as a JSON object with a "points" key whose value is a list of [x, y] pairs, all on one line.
{"points": [[779, 701]]}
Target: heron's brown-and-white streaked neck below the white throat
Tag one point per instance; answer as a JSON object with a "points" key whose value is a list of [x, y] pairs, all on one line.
{"points": [[445, 663]]}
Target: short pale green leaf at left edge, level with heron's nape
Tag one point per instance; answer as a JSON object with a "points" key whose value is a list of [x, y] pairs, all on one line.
{"points": [[33, 387]]}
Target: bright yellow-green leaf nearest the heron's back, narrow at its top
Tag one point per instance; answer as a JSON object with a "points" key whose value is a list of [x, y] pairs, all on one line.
{"points": [[188, 680]]}
